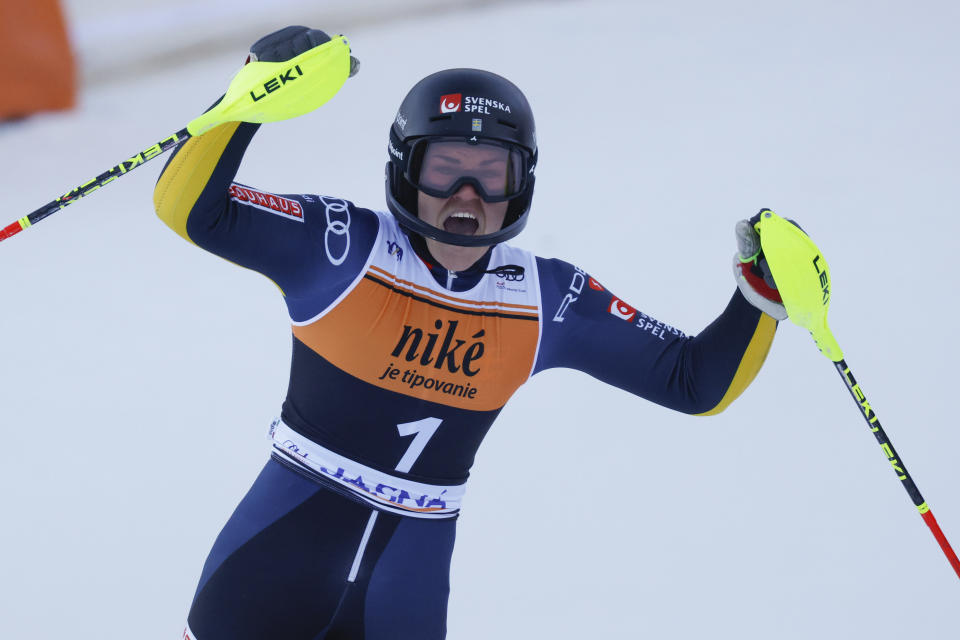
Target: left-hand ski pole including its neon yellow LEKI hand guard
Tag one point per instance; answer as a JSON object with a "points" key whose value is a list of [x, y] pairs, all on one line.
{"points": [[259, 92]]}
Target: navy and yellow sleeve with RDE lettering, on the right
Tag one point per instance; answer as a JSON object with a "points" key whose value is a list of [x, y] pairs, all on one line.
{"points": [[588, 328]]}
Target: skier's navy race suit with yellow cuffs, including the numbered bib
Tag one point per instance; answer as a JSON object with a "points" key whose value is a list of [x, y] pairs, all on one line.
{"points": [[399, 368]]}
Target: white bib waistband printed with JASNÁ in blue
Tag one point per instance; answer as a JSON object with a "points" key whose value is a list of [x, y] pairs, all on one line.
{"points": [[380, 489]]}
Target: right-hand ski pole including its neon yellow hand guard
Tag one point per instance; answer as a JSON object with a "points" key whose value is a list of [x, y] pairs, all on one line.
{"points": [[803, 279]]}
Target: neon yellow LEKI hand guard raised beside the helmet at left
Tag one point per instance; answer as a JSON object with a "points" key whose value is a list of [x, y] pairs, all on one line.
{"points": [[272, 91]]}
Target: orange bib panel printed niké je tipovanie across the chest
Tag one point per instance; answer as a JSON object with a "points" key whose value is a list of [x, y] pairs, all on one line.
{"points": [[406, 338]]}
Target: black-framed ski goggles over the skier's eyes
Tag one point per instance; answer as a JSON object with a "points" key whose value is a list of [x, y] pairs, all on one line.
{"points": [[441, 166]]}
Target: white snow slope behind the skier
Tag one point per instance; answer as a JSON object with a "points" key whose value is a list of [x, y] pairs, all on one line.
{"points": [[139, 374]]}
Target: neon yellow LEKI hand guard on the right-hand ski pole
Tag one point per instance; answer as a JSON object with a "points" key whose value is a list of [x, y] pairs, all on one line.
{"points": [[802, 277]]}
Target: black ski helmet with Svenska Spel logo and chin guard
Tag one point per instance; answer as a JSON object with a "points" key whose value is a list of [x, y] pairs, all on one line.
{"points": [[470, 105]]}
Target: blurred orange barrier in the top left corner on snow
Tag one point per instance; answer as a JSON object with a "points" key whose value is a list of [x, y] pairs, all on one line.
{"points": [[36, 62]]}
